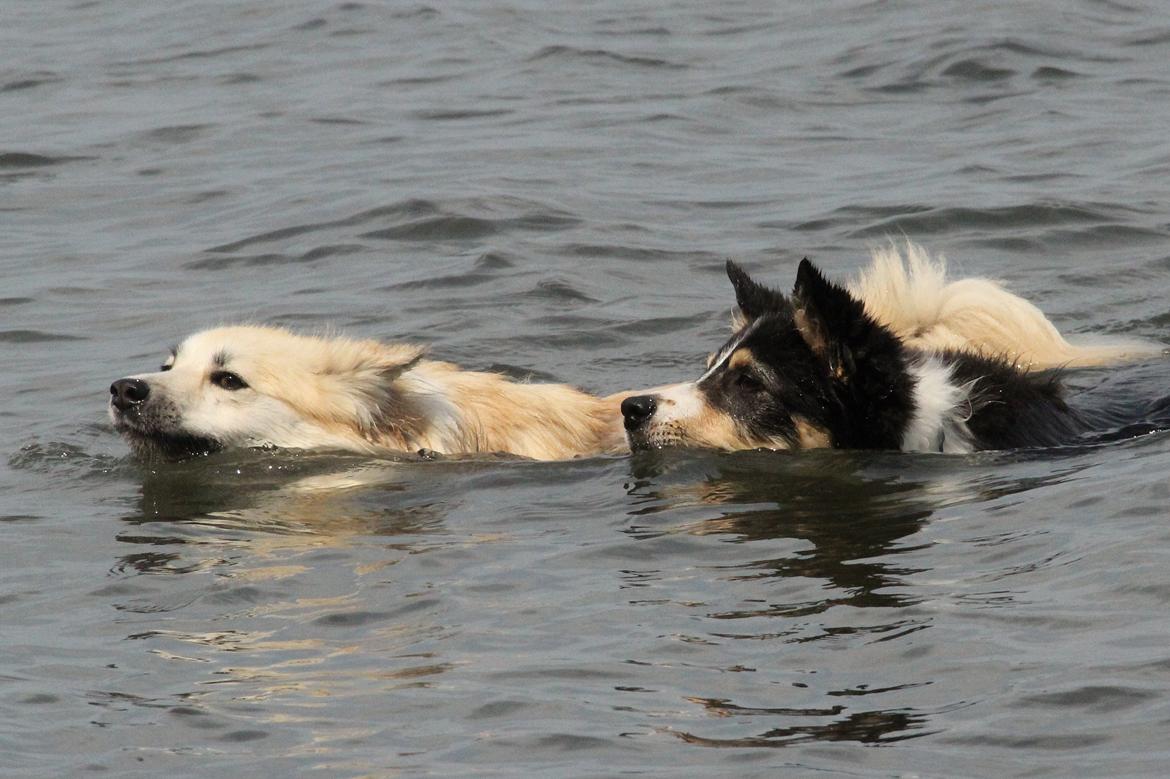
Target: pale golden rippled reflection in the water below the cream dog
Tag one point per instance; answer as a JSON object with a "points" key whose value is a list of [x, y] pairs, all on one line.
{"points": [[260, 578]]}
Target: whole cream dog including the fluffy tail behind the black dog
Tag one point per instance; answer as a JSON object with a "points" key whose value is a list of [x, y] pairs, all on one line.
{"points": [[259, 387]]}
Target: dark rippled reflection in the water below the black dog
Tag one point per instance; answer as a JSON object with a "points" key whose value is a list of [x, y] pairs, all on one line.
{"points": [[843, 547]]}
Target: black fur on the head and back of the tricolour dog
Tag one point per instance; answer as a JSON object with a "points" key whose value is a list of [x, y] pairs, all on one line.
{"points": [[821, 359]]}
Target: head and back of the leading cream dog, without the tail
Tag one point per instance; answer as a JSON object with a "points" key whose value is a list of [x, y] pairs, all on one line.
{"points": [[259, 387]]}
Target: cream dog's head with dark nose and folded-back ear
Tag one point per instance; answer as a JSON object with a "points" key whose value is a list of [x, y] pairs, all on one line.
{"points": [[254, 387]]}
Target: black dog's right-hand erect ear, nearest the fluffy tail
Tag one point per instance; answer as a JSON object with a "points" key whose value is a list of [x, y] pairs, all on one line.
{"points": [[836, 326]]}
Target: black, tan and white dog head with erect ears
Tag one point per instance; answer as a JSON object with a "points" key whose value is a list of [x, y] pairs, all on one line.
{"points": [[808, 373]]}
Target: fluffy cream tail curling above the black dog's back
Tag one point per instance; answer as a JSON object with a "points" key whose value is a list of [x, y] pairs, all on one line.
{"points": [[913, 298]]}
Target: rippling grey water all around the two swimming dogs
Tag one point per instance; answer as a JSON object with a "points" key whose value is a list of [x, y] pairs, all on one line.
{"points": [[552, 191]]}
